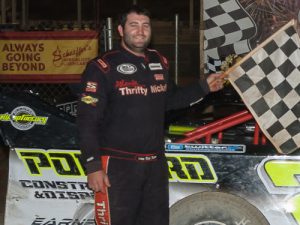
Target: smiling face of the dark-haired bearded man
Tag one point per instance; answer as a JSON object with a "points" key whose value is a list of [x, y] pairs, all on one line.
{"points": [[136, 33]]}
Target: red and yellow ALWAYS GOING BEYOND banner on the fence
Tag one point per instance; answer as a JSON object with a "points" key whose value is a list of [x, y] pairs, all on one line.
{"points": [[46, 56]]}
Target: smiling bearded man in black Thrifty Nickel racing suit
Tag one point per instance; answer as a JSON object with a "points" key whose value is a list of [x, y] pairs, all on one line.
{"points": [[125, 94]]}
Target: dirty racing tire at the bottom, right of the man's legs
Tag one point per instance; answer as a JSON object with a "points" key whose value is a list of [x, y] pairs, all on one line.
{"points": [[215, 208]]}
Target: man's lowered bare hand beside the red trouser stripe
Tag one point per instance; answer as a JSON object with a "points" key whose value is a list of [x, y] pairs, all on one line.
{"points": [[98, 181]]}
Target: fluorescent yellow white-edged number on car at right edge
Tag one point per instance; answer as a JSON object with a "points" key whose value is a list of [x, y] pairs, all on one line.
{"points": [[280, 175]]}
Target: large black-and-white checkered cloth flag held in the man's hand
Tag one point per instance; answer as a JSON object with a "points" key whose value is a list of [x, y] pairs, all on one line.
{"points": [[268, 80]]}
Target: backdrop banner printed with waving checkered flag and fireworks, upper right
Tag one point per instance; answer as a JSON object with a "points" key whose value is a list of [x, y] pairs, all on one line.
{"points": [[235, 27]]}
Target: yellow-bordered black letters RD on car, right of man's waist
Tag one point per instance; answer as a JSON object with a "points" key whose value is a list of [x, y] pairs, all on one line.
{"points": [[189, 168]]}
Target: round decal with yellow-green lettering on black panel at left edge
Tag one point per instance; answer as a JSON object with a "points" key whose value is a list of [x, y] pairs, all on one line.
{"points": [[23, 118]]}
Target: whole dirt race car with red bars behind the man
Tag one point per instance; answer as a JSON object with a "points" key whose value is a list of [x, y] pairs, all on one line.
{"points": [[221, 172]]}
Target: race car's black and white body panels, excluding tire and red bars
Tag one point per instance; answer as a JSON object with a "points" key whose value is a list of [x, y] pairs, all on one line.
{"points": [[47, 182]]}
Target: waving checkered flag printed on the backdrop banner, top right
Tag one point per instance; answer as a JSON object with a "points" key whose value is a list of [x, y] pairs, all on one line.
{"points": [[228, 28]]}
